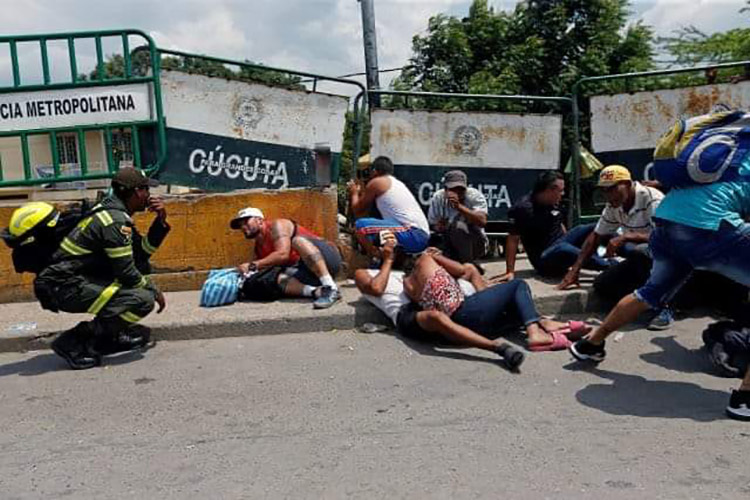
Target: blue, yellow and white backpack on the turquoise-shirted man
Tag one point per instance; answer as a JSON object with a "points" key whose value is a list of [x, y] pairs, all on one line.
{"points": [[703, 149]]}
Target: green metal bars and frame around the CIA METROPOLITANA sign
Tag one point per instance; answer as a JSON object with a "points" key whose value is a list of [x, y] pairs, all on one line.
{"points": [[98, 79]]}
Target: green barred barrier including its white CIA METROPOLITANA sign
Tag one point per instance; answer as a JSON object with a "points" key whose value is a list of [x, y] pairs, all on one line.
{"points": [[65, 113]]}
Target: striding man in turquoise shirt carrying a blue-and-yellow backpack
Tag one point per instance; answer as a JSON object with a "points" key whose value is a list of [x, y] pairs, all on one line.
{"points": [[702, 225]]}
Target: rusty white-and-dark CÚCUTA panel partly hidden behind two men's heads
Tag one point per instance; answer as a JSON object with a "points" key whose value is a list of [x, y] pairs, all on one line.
{"points": [[501, 153]]}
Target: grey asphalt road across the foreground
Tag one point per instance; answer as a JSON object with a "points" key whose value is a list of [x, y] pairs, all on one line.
{"points": [[353, 415]]}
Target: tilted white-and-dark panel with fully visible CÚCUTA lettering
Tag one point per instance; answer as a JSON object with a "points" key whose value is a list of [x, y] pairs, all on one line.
{"points": [[224, 134]]}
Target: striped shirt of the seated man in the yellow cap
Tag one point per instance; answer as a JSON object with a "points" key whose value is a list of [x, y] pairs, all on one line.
{"points": [[640, 217]]}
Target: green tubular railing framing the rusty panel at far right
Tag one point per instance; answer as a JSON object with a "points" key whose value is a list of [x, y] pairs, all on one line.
{"points": [[575, 95]]}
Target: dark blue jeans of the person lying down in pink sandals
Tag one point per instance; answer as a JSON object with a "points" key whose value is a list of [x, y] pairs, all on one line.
{"points": [[497, 307]]}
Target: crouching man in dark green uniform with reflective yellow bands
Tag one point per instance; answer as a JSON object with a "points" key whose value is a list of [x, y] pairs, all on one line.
{"points": [[102, 268]]}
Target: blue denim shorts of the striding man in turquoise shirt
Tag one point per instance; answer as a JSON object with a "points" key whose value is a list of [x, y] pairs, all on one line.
{"points": [[678, 249]]}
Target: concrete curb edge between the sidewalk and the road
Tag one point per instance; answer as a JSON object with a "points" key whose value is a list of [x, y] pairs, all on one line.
{"points": [[340, 318]]}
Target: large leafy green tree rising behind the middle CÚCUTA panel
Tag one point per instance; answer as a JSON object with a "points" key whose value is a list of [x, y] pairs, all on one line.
{"points": [[541, 48]]}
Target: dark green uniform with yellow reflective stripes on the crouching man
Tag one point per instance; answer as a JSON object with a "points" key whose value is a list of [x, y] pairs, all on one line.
{"points": [[102, 268]]}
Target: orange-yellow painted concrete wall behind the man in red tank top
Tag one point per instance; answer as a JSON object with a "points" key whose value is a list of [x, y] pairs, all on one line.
{"points": [[201, 238]]}
